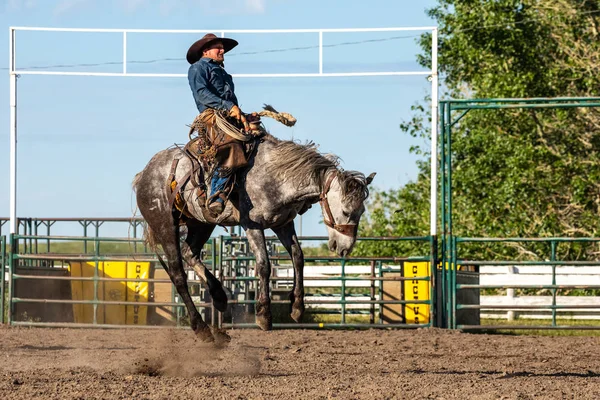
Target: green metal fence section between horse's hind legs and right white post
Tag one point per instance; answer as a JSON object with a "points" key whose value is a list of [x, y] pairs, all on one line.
{"points": [[236, 271]]}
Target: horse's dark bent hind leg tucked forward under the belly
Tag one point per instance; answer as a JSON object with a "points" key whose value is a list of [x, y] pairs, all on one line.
{"points": [[198, 235]]}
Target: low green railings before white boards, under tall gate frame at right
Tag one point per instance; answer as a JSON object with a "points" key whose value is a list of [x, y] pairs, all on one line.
{"points": [[578, 281]]}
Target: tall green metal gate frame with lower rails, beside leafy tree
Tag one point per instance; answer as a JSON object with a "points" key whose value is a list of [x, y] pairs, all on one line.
{"points": [[451, 112]]}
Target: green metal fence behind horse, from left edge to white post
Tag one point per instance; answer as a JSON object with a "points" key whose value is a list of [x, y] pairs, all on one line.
{"points": [[108, 282]]}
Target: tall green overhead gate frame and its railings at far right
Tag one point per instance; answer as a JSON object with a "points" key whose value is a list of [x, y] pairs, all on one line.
{"points": [[465, 294]]}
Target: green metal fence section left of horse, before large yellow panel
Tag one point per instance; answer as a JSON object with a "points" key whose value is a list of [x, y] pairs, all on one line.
{"points": [[45, 260]]}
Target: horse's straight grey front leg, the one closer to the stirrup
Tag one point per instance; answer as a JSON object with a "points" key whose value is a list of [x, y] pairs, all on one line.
{"points": [[256, 239]]}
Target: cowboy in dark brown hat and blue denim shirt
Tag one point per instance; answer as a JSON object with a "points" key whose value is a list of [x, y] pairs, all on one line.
{"points": [[212, 87]]}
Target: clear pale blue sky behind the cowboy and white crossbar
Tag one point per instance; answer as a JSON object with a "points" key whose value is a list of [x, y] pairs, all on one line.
{"points": [[82, 139]]}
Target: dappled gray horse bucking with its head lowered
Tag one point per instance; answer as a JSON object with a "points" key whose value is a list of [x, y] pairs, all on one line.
{"points": [[282, 180]]}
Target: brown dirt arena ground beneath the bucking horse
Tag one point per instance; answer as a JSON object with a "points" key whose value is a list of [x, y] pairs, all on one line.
{"points": [[373, 364]]}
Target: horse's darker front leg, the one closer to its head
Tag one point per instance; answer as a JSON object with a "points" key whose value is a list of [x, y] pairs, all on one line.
{"points": [[287, 236]]}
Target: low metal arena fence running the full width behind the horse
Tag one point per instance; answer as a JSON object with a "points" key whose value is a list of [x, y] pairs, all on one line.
{"points": [[85, 281]]}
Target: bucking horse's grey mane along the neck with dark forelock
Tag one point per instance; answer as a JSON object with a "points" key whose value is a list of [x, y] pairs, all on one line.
{"points": [[303, 164]]}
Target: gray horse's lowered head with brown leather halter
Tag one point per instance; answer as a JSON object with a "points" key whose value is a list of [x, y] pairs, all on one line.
{"points": [[342, 202]]}
